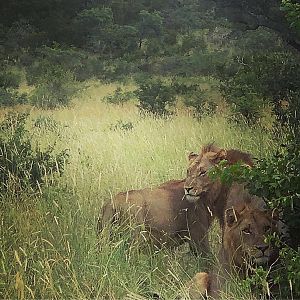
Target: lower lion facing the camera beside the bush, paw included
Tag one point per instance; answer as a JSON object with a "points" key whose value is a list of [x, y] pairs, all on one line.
{"points": [[247, 223]]}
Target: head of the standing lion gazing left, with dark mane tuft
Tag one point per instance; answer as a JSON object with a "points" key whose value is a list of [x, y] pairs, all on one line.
{"points": [[197, 181]]}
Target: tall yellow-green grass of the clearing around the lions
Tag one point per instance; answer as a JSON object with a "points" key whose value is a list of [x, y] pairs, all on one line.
{"points": [[48, 246]]}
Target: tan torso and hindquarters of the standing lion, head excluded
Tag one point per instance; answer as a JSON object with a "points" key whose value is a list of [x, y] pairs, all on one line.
{"points": [[164, 212]]}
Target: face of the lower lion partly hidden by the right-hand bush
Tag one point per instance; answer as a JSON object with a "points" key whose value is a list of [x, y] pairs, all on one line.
{"points": [[245, 234]]}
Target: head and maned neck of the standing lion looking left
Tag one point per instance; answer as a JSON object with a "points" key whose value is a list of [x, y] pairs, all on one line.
{"points": [[198, 185]]}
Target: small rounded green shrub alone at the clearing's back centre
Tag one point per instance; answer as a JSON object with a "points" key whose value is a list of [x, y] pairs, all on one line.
{"points": [[155, 97]]}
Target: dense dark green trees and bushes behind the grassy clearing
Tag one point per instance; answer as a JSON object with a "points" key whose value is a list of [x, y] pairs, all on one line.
{"points": [[71, 41]]}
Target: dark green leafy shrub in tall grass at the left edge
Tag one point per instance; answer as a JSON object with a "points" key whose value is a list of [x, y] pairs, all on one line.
{"points": [[21, 166]]}
